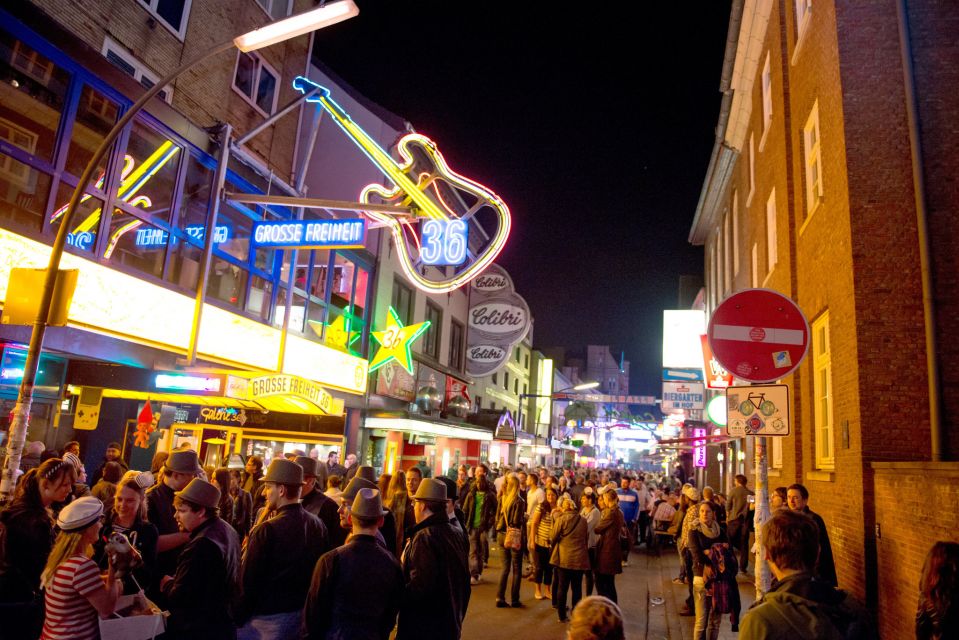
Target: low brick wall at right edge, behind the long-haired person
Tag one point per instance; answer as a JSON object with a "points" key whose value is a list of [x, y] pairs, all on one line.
{"points": [[904, 490]]}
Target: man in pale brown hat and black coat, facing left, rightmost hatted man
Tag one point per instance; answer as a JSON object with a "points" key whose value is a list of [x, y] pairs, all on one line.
{"points": [[435, 571]]}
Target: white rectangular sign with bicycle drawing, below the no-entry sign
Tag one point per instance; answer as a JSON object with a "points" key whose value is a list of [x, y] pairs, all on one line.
{"points": [[758, 410]]}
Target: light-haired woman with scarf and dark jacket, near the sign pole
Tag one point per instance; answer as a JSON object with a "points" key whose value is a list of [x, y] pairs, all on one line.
{"points": [[702, 536]]}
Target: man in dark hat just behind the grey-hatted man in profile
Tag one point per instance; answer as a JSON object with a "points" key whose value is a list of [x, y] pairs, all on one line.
{"points": [[180, 468]]}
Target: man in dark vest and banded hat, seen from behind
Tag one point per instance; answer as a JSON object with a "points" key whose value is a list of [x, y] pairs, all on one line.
{"points": [[361, 571]]}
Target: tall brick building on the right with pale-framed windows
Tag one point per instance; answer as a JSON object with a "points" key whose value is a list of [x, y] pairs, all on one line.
{"points": [[818, 187]]}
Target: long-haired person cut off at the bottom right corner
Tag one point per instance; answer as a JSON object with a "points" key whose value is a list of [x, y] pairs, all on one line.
{"points": [[937, 617]]}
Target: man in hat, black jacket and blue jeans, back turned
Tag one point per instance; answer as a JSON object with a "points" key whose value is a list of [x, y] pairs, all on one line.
{"points": [[279, 558]]}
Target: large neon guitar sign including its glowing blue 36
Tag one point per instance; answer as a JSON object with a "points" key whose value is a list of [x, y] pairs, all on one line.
{"points": [[432, 194]]}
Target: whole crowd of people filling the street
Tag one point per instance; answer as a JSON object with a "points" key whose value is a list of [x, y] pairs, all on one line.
{"points": [[312, 549]]}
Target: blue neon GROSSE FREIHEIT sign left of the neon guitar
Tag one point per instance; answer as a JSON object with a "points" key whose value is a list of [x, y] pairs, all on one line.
{"points": [[296, 234]]}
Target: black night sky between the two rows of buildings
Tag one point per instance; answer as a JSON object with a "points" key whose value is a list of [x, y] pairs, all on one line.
{"points": [[594, 122]]}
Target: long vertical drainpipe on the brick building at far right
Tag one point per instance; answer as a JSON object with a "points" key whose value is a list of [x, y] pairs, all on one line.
{"points": [[922, 222]]}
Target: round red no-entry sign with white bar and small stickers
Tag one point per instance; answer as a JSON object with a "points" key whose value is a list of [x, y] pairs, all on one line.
{"points": [[758, 335]]}
